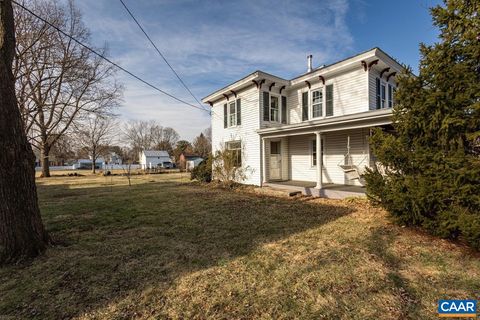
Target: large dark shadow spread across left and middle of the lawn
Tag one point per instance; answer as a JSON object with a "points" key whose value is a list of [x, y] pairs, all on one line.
{"points": [[119, 242]]}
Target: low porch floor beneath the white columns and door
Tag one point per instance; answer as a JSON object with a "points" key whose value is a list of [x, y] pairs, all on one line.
{"points": [[330, 190]]}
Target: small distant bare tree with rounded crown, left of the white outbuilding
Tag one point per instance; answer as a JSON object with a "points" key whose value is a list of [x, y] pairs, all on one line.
{"points": [[95, 135]]}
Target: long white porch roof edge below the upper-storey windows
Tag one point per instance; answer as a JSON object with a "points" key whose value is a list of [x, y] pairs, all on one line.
{"points": [[351, 121]]}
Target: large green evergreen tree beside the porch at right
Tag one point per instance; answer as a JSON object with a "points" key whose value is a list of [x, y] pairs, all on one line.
{"points": [[432, 162]]}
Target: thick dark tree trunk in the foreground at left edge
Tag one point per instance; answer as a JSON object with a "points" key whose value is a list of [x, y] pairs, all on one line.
{"points": [[21, 229]]}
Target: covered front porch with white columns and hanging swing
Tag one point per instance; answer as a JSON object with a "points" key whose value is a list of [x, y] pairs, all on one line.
{"points": [[324, 160]]}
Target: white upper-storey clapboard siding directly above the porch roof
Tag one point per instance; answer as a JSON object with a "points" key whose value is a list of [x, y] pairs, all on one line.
{"points": [[350, 95]]}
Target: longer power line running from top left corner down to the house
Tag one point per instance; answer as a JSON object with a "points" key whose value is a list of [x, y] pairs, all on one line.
{"points": [[108, 60]]}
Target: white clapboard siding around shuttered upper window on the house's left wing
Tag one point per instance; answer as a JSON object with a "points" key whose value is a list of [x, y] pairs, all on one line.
{"points": [[246, 132]]}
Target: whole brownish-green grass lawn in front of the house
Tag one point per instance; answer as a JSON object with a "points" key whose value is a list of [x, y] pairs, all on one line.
{"points": [[166, 248]]}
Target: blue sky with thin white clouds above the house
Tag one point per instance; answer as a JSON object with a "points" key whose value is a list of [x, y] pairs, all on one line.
{"points": [[213, 43]]}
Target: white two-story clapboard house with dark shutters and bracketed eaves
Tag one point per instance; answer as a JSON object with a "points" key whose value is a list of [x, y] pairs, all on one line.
{"points": [[311, 131]]}
